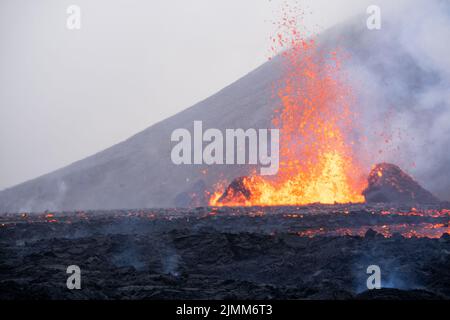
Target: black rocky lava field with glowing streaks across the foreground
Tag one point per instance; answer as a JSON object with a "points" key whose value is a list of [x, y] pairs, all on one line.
{"points": [[312, 252]]}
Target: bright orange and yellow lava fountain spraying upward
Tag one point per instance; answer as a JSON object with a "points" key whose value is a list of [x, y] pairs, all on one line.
{"points": [[316, 118]]}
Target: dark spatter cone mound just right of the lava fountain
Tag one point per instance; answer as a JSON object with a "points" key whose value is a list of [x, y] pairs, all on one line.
{"points": [[387, 183]]}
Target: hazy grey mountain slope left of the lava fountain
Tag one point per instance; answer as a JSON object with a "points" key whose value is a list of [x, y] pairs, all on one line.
{"points": [[139, 172]]}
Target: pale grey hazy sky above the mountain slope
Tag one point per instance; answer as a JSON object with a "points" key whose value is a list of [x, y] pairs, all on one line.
{"points": [[66, 94]]}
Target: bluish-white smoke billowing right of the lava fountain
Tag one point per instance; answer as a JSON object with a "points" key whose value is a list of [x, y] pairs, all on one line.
{"points": [[401, 77]]}
